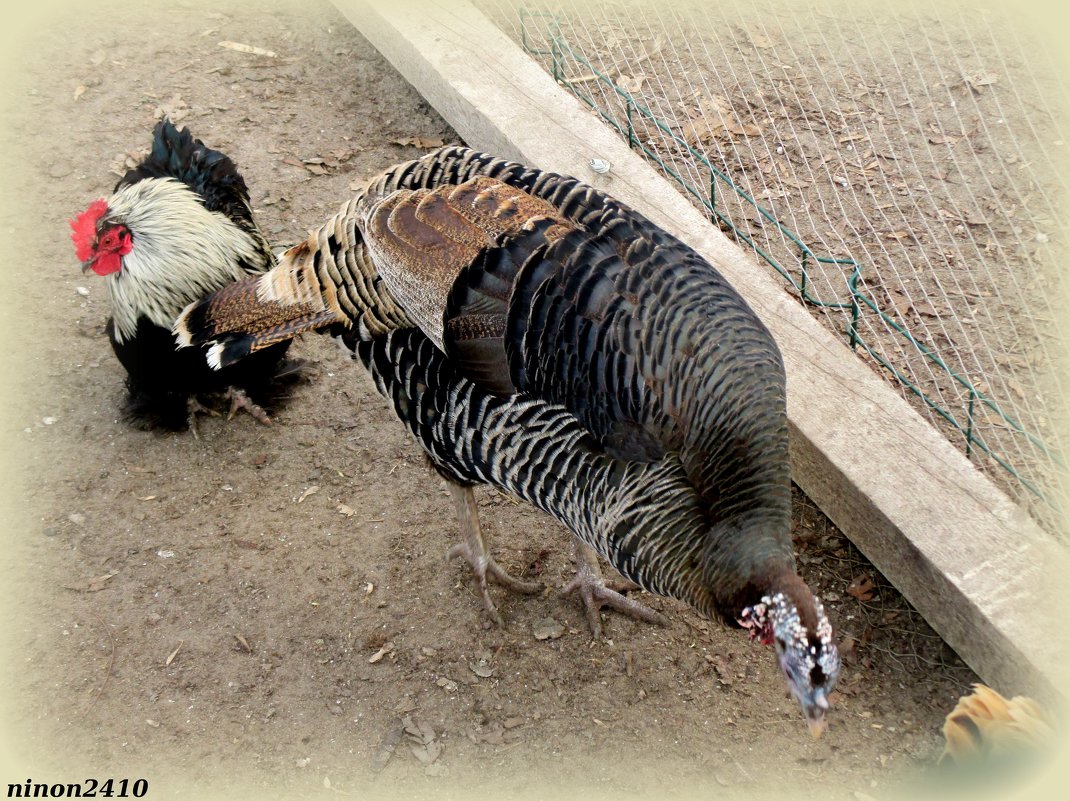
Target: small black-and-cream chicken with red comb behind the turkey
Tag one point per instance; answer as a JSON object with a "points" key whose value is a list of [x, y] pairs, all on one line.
{"points": [[177, 228]]}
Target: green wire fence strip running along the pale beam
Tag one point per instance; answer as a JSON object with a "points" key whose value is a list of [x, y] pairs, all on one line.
{"points": [[541, 36]]}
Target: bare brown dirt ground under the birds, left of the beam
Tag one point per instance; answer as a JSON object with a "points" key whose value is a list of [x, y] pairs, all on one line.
{"points": [[265, 611]]}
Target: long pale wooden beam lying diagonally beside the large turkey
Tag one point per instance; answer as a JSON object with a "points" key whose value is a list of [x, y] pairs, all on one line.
{"points": [[970, 561]]}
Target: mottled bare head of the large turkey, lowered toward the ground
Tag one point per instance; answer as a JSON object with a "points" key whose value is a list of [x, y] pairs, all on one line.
{"points": [[808, 658]]}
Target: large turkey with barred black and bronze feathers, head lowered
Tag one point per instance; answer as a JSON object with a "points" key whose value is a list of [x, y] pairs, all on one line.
{"points": [[539, 336]]}
